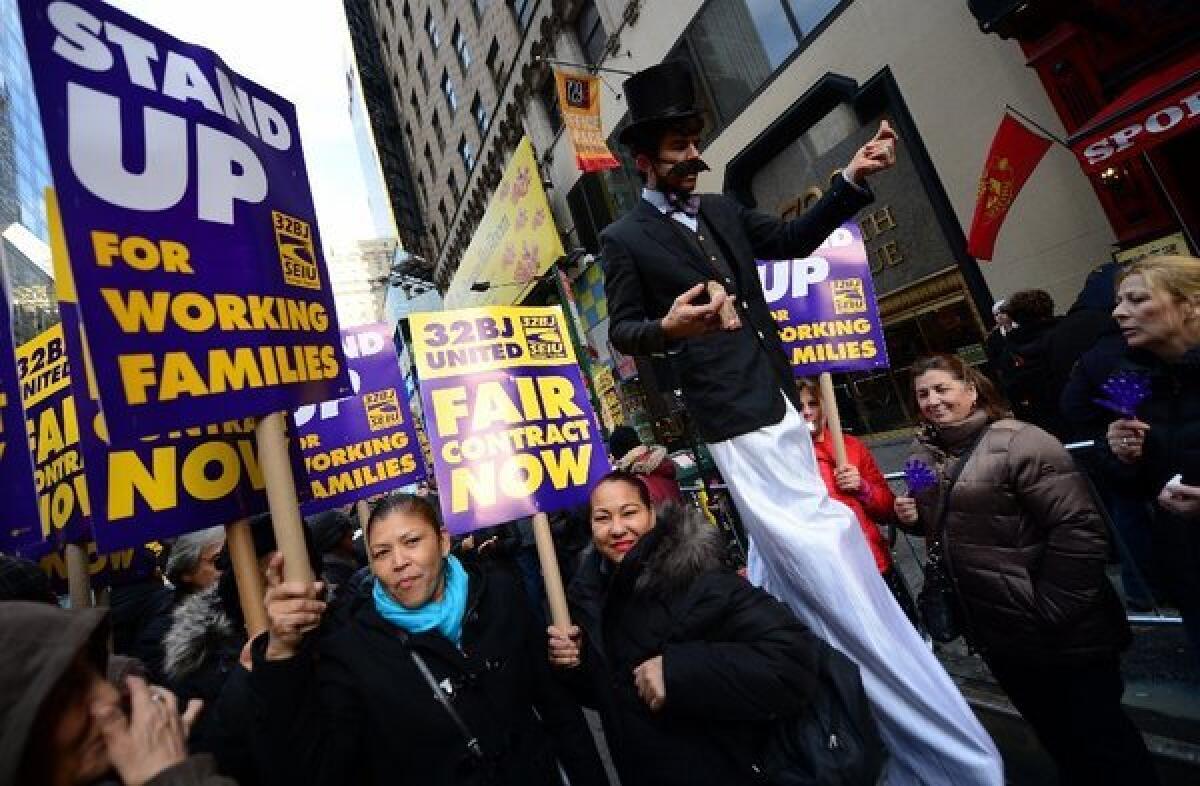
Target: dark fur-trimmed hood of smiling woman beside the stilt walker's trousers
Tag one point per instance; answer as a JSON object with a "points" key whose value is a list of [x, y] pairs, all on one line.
{"points": [[682, 548]]}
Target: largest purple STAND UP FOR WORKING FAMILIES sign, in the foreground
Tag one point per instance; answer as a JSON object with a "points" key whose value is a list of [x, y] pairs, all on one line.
{"points": [[189, 221]]}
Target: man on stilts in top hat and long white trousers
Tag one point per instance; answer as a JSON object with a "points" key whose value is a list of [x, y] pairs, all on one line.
{"points": [[807, 549]]}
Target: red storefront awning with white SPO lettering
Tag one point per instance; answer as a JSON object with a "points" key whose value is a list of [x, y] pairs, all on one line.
{"points": [[1150, 112]]}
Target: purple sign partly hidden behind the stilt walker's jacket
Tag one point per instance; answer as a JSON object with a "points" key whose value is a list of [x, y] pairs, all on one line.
{"points": [[825, 307]]}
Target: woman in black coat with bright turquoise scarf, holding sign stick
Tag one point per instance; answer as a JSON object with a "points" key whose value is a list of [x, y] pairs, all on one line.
{"points": [[355, 706]]}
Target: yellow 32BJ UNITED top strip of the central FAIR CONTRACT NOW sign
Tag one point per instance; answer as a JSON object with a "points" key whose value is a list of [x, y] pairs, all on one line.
{"points": [[452, 344]]}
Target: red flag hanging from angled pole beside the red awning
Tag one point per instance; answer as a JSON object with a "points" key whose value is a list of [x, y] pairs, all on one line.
{"points": [[1015, 155]]}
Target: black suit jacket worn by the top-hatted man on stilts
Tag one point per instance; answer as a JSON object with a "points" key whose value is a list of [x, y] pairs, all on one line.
{"points": [[731, 380]]}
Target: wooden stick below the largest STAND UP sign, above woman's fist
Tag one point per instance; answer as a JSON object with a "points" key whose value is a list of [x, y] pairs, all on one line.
{"points": [[281, 497]]}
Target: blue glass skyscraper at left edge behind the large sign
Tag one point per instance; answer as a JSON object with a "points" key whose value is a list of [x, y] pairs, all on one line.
{"points": [[25, 175]]}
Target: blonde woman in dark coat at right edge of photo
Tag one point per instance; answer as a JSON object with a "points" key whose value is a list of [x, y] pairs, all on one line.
{"points": [[1156, 455]]}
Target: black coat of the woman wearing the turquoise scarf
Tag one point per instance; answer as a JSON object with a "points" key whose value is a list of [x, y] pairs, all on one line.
{"points": [[353, 709]]}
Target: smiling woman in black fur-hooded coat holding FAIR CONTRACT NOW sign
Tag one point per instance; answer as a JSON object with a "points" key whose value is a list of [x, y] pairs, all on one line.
{"points": [[687, 663]]}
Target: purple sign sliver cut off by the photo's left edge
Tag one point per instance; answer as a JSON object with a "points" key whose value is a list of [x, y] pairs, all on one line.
{"points": [[22, 523]]}
